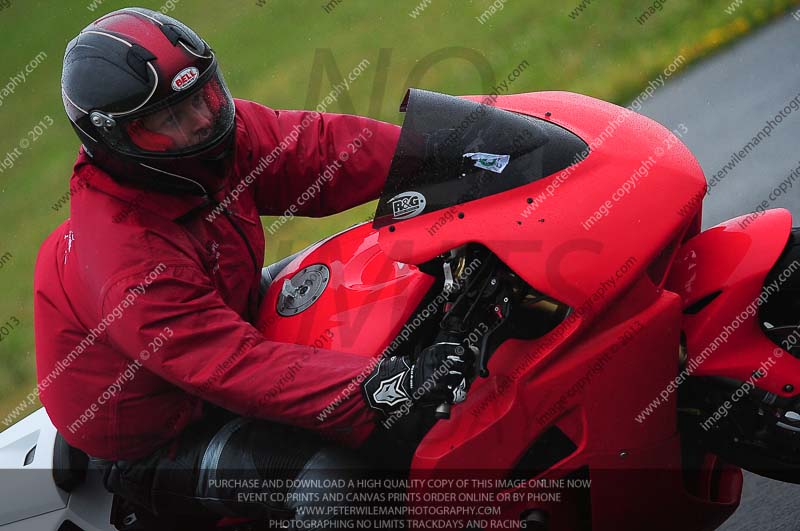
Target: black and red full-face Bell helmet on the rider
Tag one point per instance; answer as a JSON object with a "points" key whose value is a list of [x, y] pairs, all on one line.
{"points": [[146, 97]]}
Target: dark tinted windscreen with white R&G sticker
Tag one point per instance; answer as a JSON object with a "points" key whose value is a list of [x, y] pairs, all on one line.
{"points": [[453, 150]]}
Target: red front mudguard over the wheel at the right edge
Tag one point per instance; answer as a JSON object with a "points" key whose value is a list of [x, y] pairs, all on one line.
{"points": [[733, 262]]}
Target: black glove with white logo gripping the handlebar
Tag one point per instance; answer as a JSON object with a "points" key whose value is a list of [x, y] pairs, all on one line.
{"points": [[439, 375]]}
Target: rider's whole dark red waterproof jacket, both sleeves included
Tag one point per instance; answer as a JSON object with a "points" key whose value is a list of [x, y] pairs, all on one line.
{"points": [[143, 307]]}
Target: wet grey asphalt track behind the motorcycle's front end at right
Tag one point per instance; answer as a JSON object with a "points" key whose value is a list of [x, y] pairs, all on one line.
{"points": [[724, 102]]}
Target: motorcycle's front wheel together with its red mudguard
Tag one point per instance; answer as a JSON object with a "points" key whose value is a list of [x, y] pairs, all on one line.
{"points": [[738, 282]]}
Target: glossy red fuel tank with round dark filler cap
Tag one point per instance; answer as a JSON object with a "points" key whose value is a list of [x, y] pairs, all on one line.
{"points": [[343, 293]]}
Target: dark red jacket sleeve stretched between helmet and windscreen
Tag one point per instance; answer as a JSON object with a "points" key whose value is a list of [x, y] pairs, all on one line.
{"points": [[316, 164]]}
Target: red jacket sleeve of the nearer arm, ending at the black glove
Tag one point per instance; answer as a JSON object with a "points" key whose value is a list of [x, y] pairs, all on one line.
{"points": [[209, 351]]}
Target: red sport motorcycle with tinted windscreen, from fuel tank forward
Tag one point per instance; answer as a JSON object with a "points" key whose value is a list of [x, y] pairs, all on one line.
{"points": [[628, 363]]}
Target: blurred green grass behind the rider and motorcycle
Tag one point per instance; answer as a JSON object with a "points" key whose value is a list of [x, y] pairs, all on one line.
{"points": [[267, 55]]}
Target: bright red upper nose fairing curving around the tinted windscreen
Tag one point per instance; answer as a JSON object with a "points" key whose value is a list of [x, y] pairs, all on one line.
{"points": [[553, 246]]}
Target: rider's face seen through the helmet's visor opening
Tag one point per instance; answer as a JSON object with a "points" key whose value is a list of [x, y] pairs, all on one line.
{"points": [[187, 123]]}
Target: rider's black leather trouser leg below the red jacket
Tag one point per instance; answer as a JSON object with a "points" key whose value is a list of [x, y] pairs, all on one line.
{"points": [[232, 466]]}
